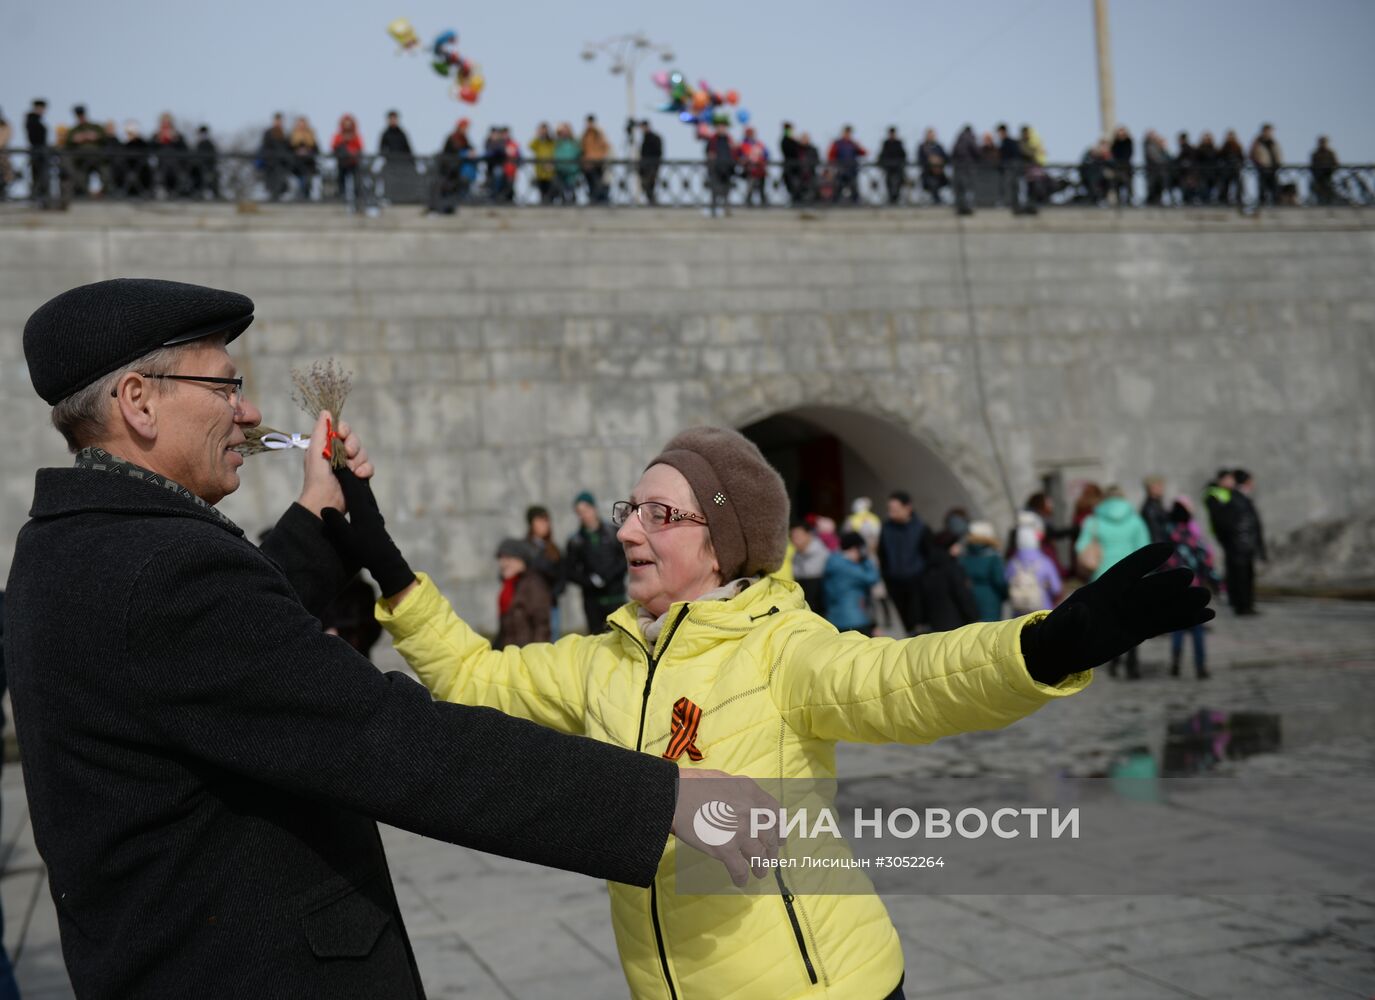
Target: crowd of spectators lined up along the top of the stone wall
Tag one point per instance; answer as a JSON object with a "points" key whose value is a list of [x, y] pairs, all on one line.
{"points": [[571, 166]]}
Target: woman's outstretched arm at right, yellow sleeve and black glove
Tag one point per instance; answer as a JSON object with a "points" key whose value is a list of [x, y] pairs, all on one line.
{"points": [[984, 676]]}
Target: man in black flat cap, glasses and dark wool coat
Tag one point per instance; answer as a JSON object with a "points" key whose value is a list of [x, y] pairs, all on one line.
{"points": [[204, 765]]}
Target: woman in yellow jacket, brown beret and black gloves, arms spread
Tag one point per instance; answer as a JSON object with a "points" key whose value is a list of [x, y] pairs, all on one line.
{"points": [[710, 633]]}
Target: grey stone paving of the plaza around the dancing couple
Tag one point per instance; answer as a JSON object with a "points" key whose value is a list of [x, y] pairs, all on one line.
{"points": [[487, 928]]}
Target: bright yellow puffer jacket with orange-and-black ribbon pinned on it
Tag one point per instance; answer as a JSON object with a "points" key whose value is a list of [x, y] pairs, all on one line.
{"points": [[778, 687]]}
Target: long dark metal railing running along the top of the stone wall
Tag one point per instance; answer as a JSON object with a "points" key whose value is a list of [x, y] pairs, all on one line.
{"points": [[446, 184]]}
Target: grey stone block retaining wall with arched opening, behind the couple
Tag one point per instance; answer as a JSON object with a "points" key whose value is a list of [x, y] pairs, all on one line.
{"points": [[509, 358]]}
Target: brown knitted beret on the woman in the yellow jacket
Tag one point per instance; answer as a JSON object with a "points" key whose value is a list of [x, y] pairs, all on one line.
{"points": [[742, 496]]}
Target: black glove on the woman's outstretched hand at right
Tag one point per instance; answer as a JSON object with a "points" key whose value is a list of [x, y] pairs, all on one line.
{"points": [[1116, 613]]}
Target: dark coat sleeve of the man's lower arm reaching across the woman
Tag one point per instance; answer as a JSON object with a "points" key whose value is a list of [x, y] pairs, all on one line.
{"points": [[269, 697]]}
